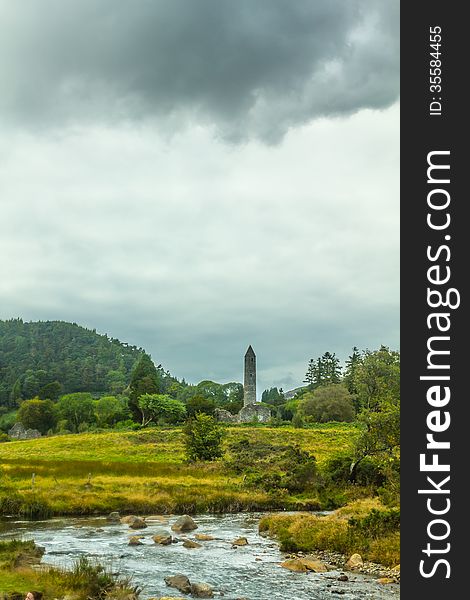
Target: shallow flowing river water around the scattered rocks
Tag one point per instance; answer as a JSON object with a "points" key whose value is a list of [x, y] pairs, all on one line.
{"points": [[250, 572]]}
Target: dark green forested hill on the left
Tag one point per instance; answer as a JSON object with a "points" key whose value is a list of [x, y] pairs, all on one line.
{"points": [[40, 354]]}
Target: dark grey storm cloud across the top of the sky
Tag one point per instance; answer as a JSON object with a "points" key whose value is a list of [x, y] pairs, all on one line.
{"points": [[249, 68]]}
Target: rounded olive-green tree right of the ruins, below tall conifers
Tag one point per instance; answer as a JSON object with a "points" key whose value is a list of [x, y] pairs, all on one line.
{"points": [[327, 403]]}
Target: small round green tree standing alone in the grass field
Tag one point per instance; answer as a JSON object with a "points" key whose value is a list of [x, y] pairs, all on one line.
{"points": [[203, 438]]}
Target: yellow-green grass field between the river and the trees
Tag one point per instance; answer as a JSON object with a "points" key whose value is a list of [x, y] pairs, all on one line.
{"points": [[143, 471]]}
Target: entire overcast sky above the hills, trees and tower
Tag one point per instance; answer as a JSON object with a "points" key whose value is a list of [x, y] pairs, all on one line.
{"points": [[196, 176]]}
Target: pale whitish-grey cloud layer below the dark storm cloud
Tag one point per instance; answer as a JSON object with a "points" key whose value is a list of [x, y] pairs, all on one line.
{"points": [[194, 249]]}
